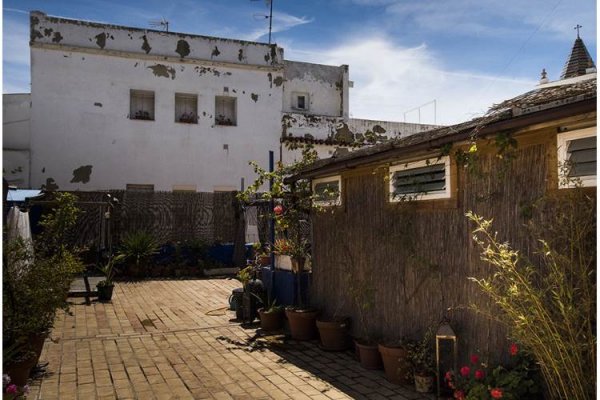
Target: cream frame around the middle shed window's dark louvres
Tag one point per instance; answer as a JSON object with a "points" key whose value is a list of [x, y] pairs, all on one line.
{"points": [[445, 194]]}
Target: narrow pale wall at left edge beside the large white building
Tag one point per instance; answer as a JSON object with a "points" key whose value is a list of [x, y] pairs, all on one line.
{"points": [[16, 139]]}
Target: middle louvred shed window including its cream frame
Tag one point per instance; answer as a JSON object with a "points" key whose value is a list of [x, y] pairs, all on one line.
{"points": [[420, 180]]}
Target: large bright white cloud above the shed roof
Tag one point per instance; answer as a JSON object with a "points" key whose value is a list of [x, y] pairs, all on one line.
{"points": [[390, 80]]}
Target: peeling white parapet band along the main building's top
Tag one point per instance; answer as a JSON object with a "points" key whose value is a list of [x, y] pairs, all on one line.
{"points": [[48, 30]]}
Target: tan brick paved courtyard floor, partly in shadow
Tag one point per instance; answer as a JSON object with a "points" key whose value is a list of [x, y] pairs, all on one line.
{"points": [[173, 339]]}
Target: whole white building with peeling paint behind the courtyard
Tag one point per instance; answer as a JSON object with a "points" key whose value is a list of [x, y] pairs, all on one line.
{"points": [[114, 107]]}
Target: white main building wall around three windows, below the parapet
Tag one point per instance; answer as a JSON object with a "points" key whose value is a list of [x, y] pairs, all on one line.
{"points": [[80, 117]]}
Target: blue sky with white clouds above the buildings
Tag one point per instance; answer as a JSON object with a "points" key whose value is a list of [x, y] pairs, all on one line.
{"points": [[464, 54]]}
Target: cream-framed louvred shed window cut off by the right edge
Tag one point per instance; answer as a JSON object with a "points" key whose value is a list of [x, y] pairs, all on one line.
{"points": [[577, 158]]}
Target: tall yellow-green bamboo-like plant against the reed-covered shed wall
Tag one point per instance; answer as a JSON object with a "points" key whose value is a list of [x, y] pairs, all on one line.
{"points": [[550, 306]]}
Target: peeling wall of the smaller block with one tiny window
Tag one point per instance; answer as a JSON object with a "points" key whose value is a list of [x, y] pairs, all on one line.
{"points": [[325, 85]]}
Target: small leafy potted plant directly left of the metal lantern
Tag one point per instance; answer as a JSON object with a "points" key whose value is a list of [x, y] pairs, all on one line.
{"points": [[420, 357]]}
